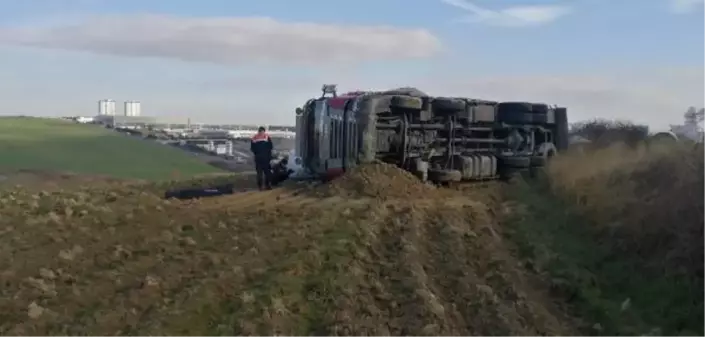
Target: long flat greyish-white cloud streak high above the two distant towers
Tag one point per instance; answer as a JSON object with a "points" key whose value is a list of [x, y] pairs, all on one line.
{"points": [[229, 40]]}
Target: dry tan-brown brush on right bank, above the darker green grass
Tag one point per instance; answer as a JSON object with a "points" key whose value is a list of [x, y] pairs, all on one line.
{"points": [[650, 201]]}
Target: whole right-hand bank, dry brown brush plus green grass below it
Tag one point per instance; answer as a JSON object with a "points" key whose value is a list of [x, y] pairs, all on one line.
{"points": [[618, 233]]}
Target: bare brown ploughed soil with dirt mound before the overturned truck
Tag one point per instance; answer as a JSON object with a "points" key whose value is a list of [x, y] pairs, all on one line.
{"points": [[346, 259]]}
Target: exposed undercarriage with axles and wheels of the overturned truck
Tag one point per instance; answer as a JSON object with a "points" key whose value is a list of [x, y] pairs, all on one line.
{"points": [[461, 139]]}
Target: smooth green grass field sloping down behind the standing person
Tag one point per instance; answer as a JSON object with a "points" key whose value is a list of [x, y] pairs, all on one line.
{"points": [[56, 145]]}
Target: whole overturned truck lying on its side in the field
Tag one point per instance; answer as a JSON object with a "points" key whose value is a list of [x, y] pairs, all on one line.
{"points": [[439, 139]]}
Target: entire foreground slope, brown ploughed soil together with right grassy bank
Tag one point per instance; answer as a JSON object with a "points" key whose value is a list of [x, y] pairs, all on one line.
{"points": [[373, 253]]}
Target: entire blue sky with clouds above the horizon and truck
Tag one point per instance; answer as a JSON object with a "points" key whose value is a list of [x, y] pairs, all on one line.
{"points": [[254, 62]]}
